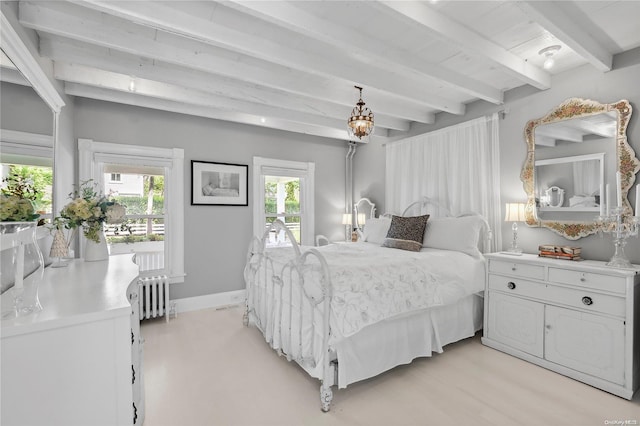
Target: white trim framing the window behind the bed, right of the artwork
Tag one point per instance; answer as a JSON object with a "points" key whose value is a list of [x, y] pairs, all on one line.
{"points": [[304, 170]]}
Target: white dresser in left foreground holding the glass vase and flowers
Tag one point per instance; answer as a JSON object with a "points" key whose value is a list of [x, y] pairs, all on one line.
{"points": [[78, 362]]}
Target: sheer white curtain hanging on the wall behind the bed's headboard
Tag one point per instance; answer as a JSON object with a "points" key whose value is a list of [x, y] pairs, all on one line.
{"points": [[459, 167]]}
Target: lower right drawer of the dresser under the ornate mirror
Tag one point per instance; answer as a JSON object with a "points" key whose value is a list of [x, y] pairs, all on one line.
{"points": [[584, 299]]}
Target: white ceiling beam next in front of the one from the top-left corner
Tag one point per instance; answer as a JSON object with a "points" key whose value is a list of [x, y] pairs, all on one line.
{"points": [[309, 58]]}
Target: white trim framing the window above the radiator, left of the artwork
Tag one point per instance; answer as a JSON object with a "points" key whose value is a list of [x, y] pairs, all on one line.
{"points": [[92, 153]]}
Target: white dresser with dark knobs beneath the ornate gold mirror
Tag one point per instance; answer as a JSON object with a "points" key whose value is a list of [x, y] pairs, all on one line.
{"points": [[576, 318]]}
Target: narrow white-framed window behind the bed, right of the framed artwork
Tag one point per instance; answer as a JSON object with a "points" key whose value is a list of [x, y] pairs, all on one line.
{"points": [[284, 190]]}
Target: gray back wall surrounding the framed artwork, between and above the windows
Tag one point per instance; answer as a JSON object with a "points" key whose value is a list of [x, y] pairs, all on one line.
{"points": [[217, 237]]}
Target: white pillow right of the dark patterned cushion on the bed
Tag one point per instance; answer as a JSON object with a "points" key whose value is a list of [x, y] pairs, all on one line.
{"points": [[454, 233]]}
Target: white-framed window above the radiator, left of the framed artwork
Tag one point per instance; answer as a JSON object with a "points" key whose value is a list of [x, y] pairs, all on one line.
{"points": [[151, 187]]}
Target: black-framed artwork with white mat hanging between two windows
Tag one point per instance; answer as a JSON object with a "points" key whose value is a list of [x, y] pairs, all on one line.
{"points": [[219, 184]]}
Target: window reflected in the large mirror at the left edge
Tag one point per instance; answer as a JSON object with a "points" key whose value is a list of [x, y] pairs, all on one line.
{"points": [[29, 155]]}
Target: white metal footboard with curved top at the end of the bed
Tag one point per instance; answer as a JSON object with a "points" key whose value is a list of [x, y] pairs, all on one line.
{"points": [[291, 304]]}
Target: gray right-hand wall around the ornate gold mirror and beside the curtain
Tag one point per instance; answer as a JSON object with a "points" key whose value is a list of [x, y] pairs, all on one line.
{"points": [[523, 105]]}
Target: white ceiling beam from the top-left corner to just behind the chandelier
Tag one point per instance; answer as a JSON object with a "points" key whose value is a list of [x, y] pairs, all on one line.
{"points": [[88, 28]]}
